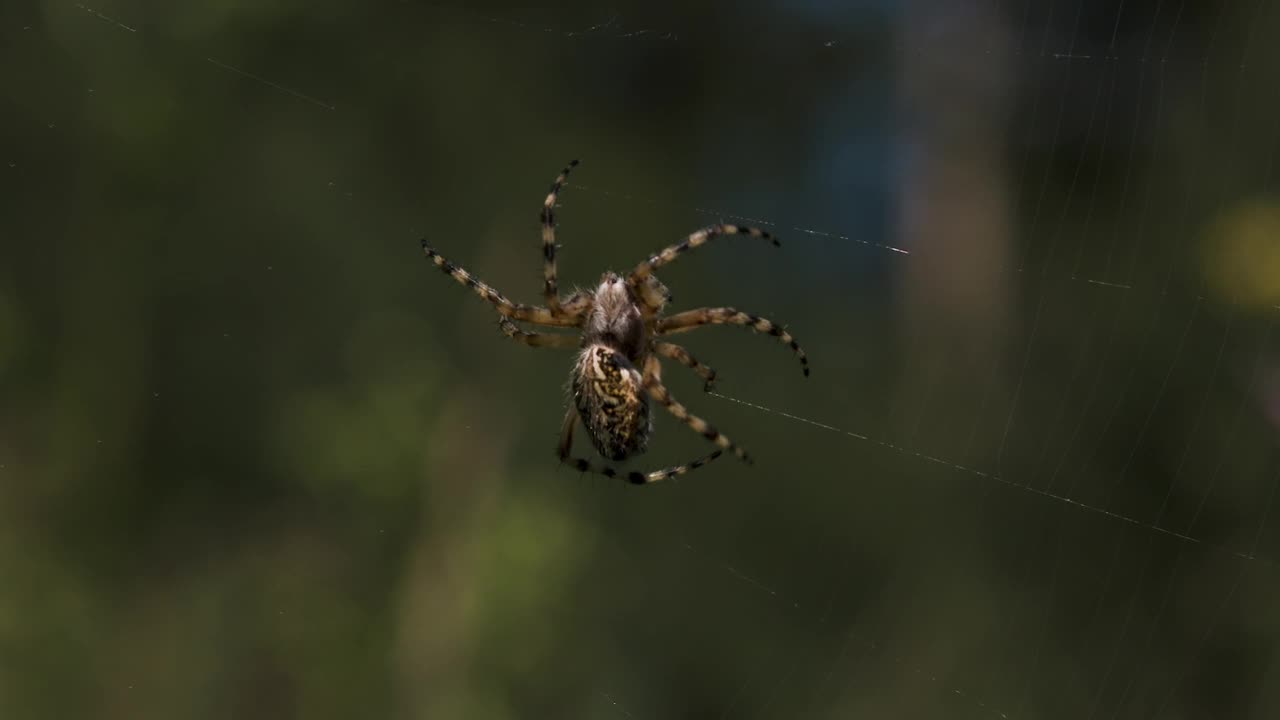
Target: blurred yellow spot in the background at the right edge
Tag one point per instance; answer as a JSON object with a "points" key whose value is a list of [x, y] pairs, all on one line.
{"points": [[1242, 259]]}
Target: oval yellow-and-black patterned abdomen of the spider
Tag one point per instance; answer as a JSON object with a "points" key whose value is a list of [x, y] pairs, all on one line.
{"points": [[610, 395]]}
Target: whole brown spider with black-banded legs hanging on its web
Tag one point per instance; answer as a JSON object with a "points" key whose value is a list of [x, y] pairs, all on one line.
{"points": [[618, 368]]}
